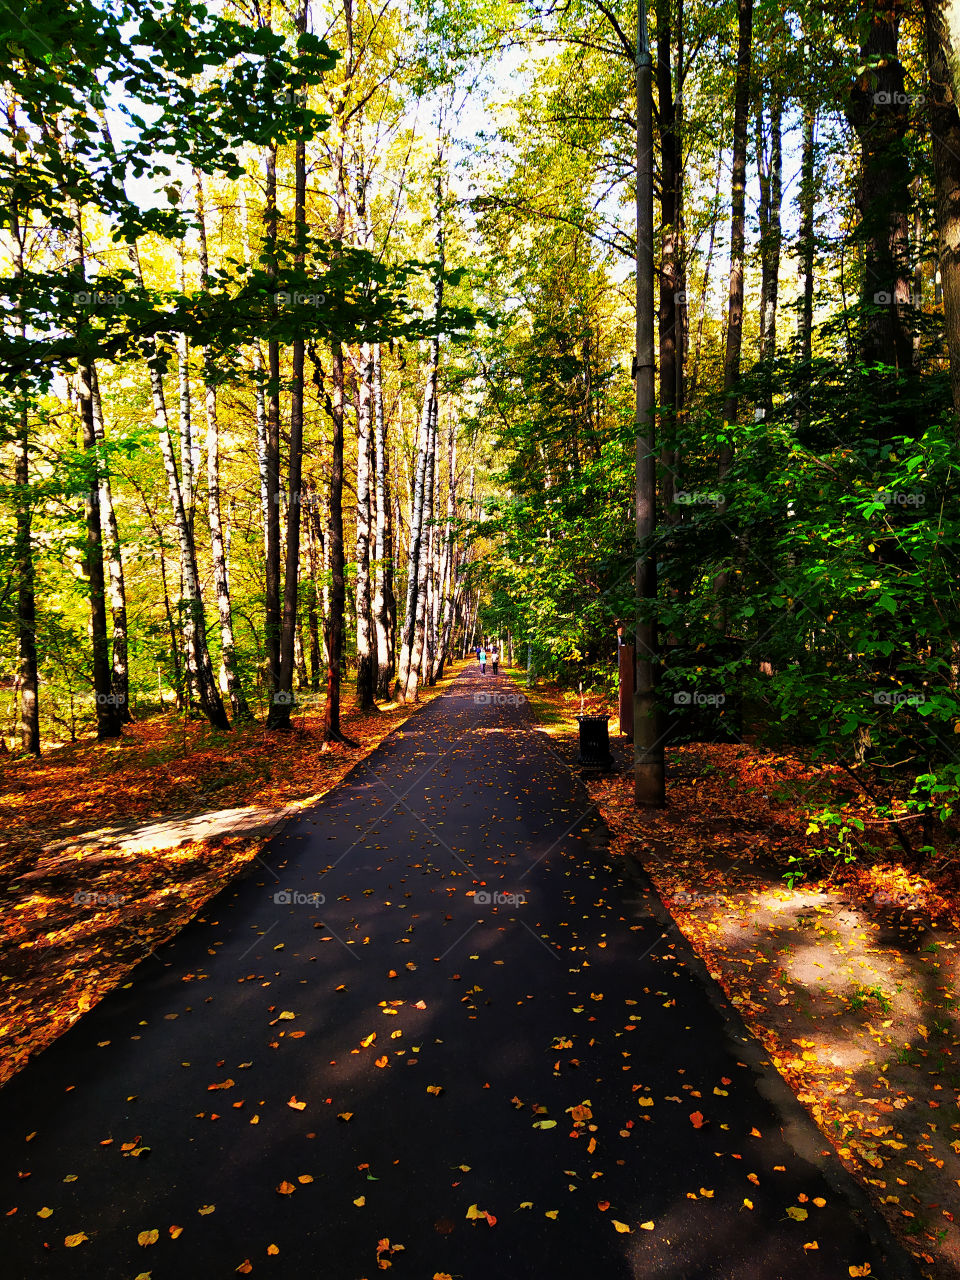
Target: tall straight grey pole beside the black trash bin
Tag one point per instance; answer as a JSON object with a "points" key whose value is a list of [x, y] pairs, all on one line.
{"points": [[648, 747]]}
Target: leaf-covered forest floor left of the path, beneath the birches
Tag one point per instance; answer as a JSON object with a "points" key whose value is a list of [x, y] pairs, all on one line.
{"points": [[109, 849]]}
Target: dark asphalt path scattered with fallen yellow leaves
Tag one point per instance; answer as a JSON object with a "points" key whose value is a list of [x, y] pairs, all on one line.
{"points": [[436, 1028]]}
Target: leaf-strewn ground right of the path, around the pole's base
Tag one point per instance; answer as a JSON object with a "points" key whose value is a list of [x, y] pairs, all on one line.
{"points": [[848, 980]]}
